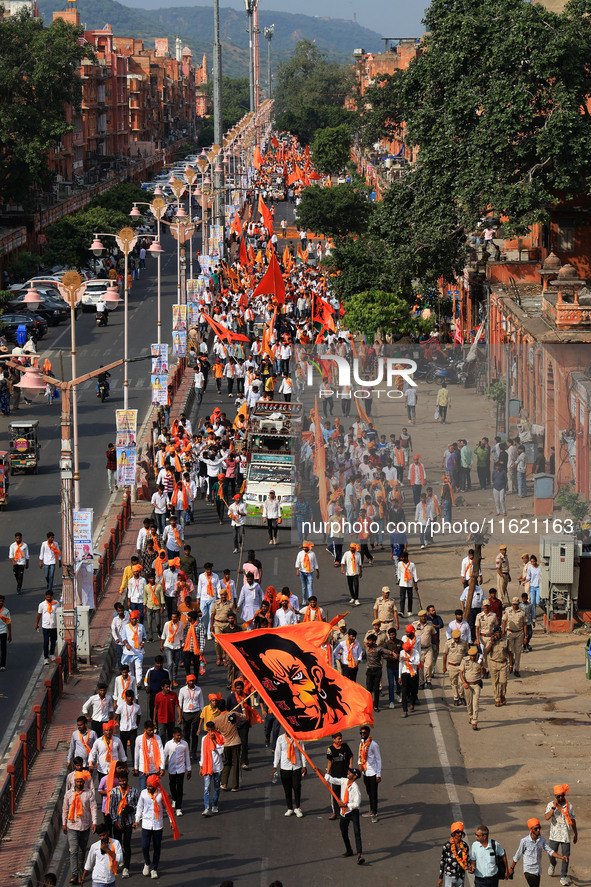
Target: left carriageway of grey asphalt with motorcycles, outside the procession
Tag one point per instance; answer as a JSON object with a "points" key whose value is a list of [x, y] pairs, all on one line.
{"points": [[34, 503]]}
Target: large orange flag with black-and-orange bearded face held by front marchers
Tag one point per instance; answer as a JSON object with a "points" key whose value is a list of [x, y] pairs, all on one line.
{"points": [[288, 669]]}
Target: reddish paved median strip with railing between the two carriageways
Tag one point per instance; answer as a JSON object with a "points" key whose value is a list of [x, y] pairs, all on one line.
{"points": [[36, 826]]}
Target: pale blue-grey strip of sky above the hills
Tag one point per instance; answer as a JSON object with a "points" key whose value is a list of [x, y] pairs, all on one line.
{"points": [[390, 18]]}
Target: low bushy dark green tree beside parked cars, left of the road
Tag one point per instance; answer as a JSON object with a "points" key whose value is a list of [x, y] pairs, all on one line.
{"points": [[69, 239]]}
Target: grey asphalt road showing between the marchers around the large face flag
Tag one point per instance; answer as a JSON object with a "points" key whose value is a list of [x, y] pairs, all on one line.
{"points": [[251, 841]]}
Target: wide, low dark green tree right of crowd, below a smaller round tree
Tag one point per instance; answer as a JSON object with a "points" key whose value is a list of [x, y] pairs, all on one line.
{"points": [[336, 211]]}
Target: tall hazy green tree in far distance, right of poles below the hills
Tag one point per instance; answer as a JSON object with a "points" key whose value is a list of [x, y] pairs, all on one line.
{"points": [[311, 91]]}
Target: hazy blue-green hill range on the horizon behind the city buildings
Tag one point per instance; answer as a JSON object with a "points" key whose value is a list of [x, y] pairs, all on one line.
{"points": [[194, 25]]}
